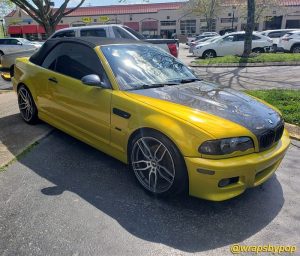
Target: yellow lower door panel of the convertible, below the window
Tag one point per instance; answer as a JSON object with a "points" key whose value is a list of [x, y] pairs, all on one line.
{"points": [[85, 109]]}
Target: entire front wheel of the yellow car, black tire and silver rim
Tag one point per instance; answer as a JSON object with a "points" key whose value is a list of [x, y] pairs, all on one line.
{"points": [[165, 168]]}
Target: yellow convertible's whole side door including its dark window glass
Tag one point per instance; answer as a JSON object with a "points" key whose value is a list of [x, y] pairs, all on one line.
{"points": [[82, 108]]}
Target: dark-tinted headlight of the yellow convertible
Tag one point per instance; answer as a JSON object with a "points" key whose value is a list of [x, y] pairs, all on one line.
{"points": [[225, 146]]}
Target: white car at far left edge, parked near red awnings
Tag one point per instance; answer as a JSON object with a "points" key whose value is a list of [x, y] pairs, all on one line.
{"points": [[12, 45]]}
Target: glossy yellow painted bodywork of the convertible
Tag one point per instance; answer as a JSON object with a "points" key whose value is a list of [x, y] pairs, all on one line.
{"points": [[87, 115]]}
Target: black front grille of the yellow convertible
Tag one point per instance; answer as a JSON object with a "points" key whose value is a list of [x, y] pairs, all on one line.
{"points": [[267, 139]]}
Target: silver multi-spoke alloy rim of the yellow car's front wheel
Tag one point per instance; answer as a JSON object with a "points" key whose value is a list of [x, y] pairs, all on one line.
{"points": [[153, 164]]}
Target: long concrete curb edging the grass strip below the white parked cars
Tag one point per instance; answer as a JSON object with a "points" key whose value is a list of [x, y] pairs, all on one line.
{"points": [[239, 65]]}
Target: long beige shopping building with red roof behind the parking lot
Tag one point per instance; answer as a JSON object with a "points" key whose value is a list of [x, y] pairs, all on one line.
{"points": [[159, 19]]}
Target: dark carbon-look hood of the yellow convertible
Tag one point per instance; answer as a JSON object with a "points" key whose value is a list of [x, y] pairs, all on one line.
{"points": [[222, 102]]}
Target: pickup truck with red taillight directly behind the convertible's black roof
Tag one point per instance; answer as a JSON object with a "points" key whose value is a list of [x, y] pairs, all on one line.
{"points": [[117, 31]]}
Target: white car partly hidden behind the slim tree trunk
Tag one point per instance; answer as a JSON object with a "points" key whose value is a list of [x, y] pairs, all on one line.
{"points": [[231, 44]]}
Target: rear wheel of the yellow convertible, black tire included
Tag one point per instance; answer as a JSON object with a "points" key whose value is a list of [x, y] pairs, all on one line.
{"points": [[27, 105]]}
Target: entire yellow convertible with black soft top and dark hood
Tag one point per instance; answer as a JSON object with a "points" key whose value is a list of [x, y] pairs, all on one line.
{"points": [[144, 107]]}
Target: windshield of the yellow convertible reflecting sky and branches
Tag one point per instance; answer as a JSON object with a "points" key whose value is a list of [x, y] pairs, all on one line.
{"points": [[140, 66]]}
